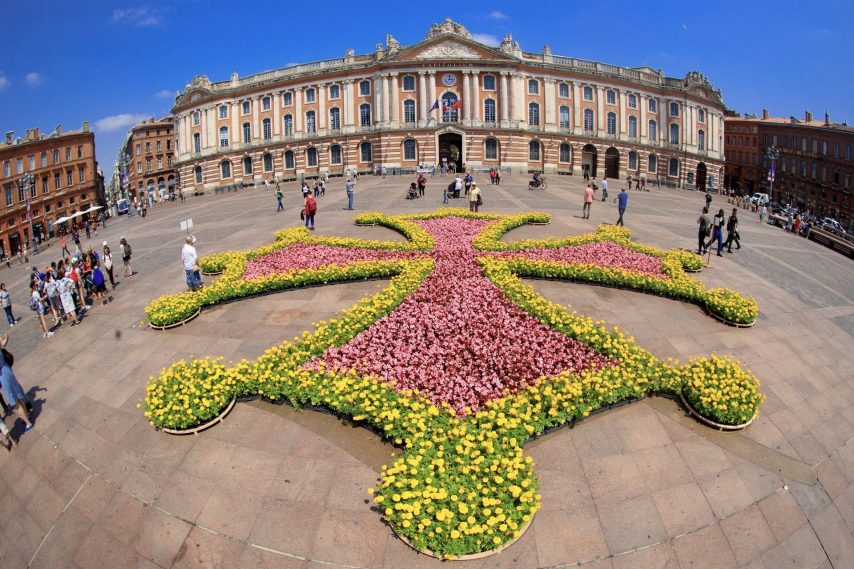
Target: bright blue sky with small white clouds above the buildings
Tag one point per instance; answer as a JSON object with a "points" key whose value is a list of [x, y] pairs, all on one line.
{"points": [[116, 63]]}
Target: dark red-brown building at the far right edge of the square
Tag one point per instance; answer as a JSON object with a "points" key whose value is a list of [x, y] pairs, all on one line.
{"points": [[812, 168]]}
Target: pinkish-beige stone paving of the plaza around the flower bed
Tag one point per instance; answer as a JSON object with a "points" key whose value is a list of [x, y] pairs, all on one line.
{"points": [[639, 486]]}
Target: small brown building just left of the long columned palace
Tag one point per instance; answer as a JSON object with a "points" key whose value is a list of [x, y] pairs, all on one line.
{"points": [[149, 154]]}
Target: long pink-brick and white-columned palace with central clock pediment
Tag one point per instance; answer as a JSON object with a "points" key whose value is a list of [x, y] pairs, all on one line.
{"points": [[449, 99]]}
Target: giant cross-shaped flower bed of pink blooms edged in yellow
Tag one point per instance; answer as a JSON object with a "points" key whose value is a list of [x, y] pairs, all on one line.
{"points": [[457, 360]]}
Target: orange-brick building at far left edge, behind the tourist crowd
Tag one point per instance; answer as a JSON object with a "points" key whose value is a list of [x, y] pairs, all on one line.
{"points": [[65, 181]]}
